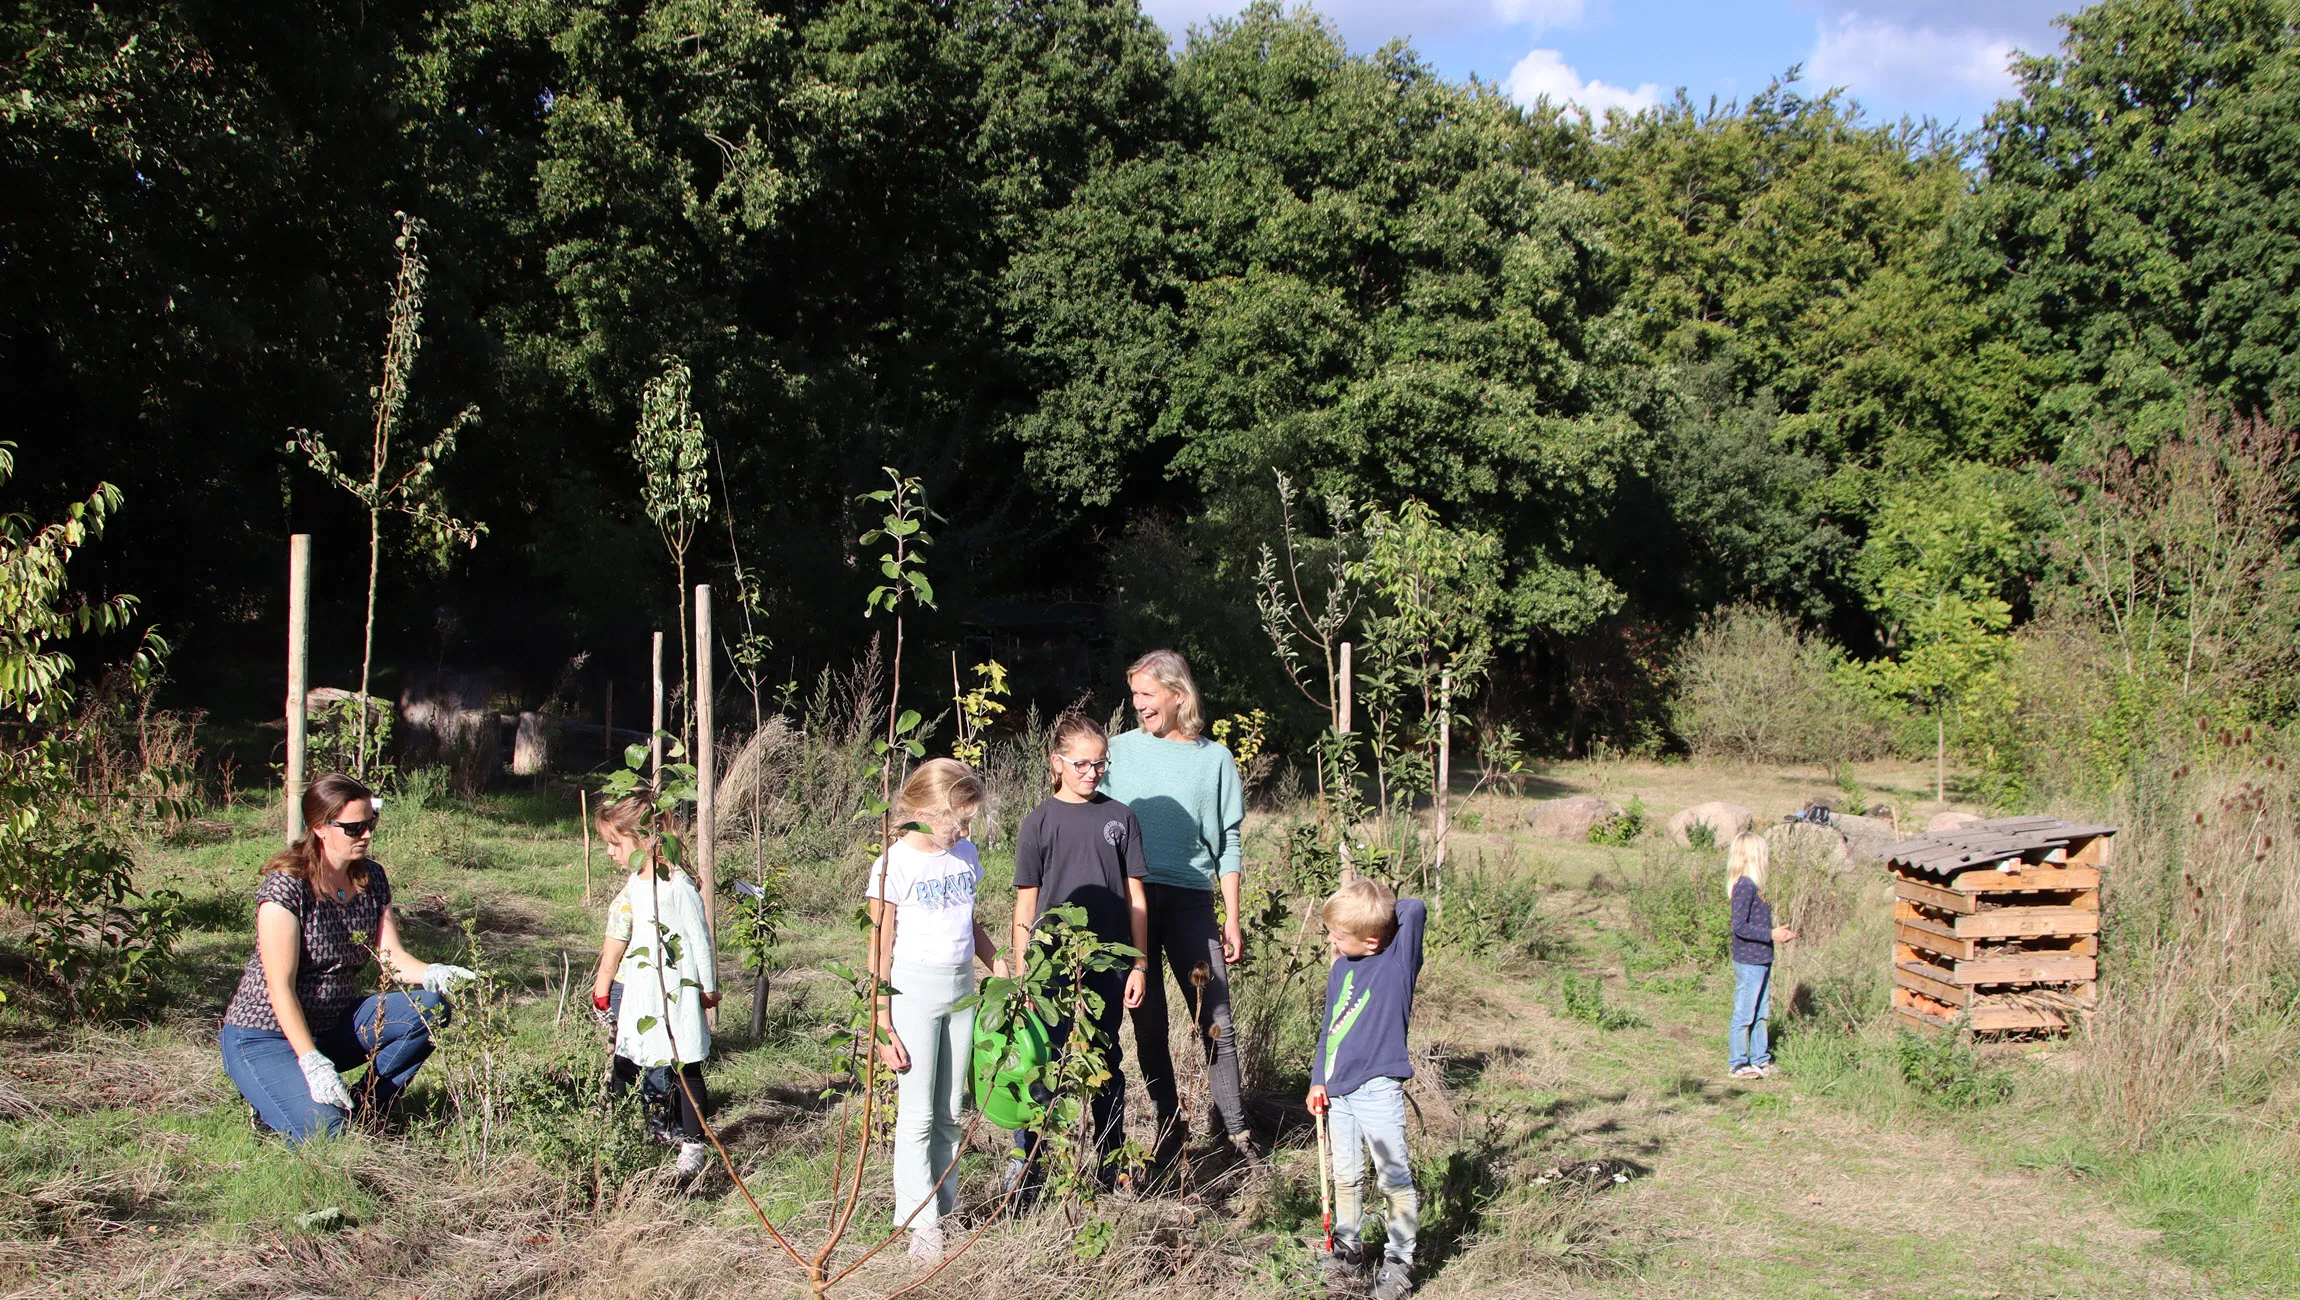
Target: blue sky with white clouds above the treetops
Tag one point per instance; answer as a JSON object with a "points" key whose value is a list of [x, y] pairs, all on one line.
{"points": [[1942, 59]]}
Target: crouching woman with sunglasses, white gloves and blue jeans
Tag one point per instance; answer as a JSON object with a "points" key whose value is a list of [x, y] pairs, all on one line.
{"points": [[305, 1009]]}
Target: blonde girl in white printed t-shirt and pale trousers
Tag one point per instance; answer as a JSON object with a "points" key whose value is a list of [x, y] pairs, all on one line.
{"points": [[928, 947]]}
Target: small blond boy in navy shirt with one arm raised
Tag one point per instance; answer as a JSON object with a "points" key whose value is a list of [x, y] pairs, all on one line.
{"points": [[1360, 1069]]}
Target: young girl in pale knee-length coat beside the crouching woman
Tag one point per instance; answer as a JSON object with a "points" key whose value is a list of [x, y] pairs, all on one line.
{"points": [[657, 979]]}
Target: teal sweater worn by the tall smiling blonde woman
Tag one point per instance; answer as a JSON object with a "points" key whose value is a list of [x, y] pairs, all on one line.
{"points": [[1188, 800]]}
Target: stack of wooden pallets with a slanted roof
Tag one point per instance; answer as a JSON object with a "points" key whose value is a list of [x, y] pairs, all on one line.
{"points": [[2000, 924]]}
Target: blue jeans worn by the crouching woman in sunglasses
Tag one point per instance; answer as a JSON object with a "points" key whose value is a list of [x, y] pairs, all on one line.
{"points": [[266, 1071]]}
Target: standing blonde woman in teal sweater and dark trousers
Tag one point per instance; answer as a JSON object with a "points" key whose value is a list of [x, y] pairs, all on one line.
{"points": [[1190, 804]]}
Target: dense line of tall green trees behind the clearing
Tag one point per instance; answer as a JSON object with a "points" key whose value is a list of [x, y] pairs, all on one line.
{"points": [[1096, 293]]}
